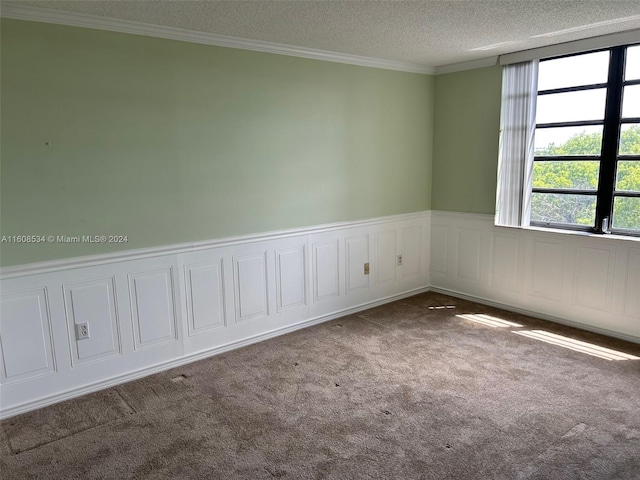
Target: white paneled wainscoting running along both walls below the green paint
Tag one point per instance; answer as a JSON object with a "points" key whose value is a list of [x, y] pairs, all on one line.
{"points": [[151, 310]]}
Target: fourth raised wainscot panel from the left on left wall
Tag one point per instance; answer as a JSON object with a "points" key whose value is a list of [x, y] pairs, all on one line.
{"points": [[204, 285]]}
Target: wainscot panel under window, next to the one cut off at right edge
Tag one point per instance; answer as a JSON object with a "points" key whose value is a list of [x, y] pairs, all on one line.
{"points": [[593, 277]]}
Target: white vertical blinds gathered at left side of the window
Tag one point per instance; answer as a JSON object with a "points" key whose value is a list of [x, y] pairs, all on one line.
{"points": [[515, 158]]}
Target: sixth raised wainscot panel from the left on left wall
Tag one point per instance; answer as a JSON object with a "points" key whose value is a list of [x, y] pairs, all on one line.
{"points": [[290, 278]]}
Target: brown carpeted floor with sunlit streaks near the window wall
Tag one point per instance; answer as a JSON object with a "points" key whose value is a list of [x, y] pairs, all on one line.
{"points": [[401, 391]]}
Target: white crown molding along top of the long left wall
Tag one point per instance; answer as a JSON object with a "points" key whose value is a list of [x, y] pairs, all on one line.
{"points": [[47, 15]]}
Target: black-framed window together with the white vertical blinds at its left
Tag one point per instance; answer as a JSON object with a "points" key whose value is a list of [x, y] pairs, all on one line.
{"points": [[580, 157]]}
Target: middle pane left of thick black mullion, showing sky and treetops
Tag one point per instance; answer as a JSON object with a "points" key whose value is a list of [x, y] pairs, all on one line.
{"points": [[568, 141]]}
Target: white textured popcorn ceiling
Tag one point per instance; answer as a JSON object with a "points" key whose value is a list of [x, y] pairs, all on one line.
{"points": [[431, 33]]}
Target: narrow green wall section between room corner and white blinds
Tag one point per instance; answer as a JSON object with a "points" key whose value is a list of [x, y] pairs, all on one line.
{"points": [[465, 143]]}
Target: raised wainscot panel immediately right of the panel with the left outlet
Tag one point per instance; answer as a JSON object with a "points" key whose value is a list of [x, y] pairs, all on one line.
{"points": [[152, 309]]}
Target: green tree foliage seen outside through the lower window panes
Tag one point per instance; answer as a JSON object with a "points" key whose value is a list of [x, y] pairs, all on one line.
{"points": [[583, 175]]}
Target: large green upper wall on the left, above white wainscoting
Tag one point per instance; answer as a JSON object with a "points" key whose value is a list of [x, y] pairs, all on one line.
{"points": [[169, 142]]}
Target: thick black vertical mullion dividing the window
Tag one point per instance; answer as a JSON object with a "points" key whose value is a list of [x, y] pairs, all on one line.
{"points": [[611, 135]]}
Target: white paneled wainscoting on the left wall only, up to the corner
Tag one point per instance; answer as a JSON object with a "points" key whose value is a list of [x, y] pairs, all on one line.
{"points": [[153, 309]]}
